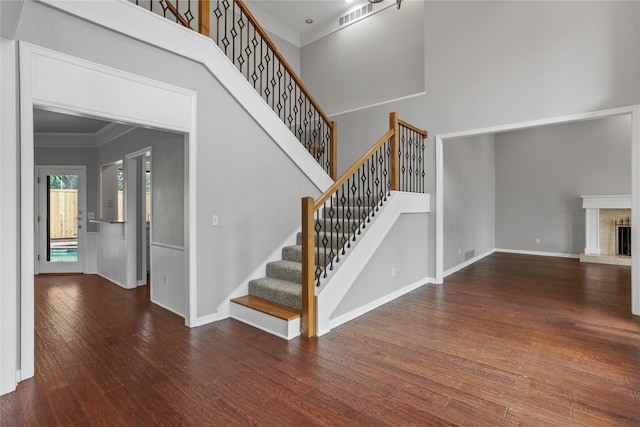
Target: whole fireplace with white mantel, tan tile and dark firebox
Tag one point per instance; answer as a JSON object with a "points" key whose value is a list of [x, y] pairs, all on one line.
{"points": [[608, 229]]}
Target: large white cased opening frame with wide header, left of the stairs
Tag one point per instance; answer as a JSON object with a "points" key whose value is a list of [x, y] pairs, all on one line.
{"points": [[55, 81]]}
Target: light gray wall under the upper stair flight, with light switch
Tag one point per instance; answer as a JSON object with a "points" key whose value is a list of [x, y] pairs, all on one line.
{"points": [[241, 174]]}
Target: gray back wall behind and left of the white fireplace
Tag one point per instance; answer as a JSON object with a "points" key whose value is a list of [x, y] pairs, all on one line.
{"points": [[541, 174]]}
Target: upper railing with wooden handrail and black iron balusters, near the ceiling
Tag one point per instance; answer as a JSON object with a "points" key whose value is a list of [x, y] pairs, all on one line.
{"points": [[239, 35]]}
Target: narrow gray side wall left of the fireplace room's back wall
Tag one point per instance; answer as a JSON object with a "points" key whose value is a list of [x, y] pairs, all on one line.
{"points": [[469, 198]]}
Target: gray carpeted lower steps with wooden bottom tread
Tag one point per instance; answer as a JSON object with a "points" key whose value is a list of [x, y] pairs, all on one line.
{"points": [[274, 302]]}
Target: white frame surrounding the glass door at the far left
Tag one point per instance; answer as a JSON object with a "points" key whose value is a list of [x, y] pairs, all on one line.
{"points": [[81, 171]]}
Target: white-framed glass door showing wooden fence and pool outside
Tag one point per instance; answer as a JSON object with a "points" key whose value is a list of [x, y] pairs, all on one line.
{"points": [[61, 220]]}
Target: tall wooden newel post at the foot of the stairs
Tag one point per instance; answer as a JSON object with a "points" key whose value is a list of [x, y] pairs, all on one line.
{"points": [[308, 269]]}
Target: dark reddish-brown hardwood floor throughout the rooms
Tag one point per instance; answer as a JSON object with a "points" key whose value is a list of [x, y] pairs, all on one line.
{"points": [[510, 340]]}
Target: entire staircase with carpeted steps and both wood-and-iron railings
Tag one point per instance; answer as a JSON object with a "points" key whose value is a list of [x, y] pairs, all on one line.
{"points": [[286, 301]]}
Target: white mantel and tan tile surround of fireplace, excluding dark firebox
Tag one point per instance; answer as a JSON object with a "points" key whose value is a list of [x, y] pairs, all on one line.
{"points": [[600, 211]]}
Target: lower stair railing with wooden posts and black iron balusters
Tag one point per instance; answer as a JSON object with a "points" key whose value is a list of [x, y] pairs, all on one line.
{"points": [[333, 222]]}
